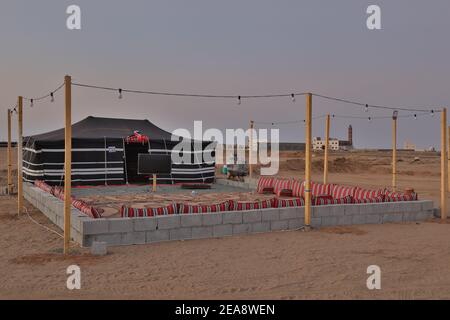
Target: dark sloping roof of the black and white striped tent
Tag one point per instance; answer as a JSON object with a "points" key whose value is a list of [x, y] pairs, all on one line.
{"points": [[93, 127]]}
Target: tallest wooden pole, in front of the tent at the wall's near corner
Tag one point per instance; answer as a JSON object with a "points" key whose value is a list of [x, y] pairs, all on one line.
{"points": [[67, 163]]}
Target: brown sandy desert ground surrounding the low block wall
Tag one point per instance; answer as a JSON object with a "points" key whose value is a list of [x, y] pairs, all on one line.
{"points": [[328, 263]]}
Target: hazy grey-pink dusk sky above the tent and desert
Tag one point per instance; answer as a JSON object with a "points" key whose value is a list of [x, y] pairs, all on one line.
{"points": [[233, 47]]}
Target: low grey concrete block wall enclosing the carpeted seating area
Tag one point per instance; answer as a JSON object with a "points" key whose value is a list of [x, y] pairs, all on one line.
{"points": [[128, 231]]}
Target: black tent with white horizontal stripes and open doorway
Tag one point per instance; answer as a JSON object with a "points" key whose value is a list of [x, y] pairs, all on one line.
{"points": [[101, 154]]}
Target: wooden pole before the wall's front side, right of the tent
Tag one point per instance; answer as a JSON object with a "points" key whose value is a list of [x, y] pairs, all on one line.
{"points": [[308, 160]]}
